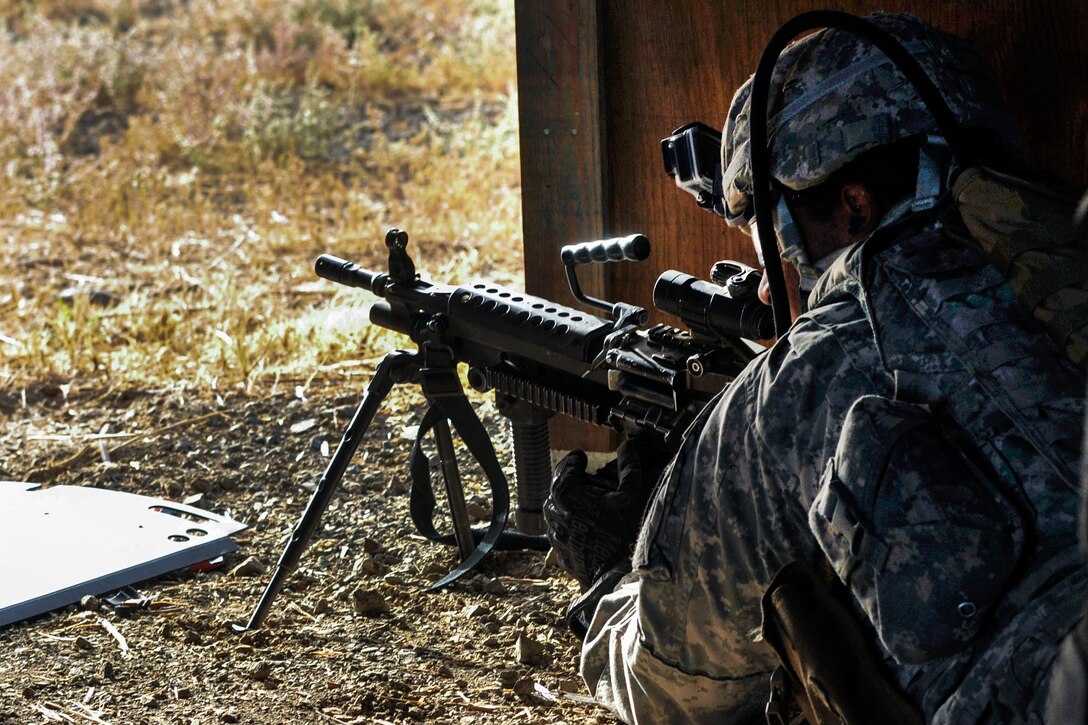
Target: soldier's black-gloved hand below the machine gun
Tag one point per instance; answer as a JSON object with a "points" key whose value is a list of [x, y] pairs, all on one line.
{"points": [[594, 521]]}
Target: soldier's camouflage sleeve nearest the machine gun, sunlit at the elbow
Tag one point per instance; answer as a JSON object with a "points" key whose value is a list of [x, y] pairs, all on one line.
{"points": [[679, 644]]}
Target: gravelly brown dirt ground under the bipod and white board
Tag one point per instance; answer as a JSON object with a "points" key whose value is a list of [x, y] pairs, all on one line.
{"points": [[323, 657]]}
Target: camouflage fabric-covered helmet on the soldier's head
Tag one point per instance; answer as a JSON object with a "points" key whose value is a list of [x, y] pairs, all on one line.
{"points": [[835, 96]]}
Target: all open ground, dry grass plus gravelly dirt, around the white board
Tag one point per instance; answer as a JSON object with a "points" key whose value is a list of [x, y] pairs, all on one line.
{"points": [[169, 170]]}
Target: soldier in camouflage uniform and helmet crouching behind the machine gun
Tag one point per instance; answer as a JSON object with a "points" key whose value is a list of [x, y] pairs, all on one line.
{"points": [[914, 432]]}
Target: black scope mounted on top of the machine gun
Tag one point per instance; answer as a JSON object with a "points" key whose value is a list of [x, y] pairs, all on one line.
{"points": [[709, 310]]}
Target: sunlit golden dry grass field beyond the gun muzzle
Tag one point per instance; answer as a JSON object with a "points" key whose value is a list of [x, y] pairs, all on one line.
{"points": [[184, 162]]}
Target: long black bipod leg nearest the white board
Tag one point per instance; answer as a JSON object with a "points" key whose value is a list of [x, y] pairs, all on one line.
{"points": [[395, 367]]}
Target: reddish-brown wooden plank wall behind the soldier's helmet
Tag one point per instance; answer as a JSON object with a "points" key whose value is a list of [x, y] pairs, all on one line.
{"points": [[611, 79]]}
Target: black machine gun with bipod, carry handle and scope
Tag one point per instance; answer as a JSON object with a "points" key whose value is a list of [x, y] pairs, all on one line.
{"points": [[540, 359]]}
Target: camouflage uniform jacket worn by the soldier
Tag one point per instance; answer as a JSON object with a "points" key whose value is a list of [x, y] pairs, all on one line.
{"points": [[916, 428]]}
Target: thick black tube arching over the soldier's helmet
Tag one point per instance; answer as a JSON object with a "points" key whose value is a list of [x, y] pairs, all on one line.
{"points": [[760, 146]]}
